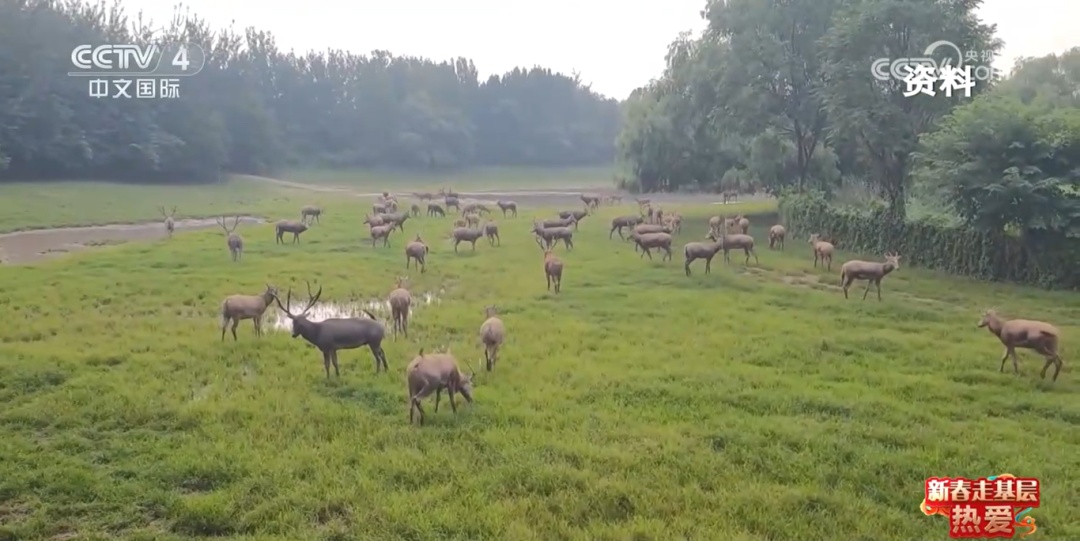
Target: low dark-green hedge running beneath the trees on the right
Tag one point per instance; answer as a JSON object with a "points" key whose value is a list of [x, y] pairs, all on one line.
{"points": [[1041, 258]]}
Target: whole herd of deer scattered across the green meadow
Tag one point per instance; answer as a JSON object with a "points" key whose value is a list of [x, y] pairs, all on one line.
{"points": [[651, 228]]}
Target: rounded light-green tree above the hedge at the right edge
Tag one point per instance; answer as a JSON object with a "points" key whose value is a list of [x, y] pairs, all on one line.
{"points": [[1003, 164]]}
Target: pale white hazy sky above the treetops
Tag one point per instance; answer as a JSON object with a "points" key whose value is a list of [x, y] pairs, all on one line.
{"points": [[616, 46]]}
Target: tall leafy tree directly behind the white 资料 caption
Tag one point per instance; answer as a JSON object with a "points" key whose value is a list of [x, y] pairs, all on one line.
{"points": [[886, 124]]}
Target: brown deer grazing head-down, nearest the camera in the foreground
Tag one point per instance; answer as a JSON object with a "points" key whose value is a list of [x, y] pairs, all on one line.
{"points": [[433, 374]]}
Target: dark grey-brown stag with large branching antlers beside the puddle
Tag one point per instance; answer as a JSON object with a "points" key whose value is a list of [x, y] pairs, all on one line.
{"points": [[333, 335]]}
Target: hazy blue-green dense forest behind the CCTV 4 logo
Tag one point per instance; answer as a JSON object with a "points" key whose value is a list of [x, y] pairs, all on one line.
{"points": [[255, 109]]}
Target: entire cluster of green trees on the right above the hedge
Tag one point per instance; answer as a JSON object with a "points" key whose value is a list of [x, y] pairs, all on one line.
{"points": [[780, 97]]}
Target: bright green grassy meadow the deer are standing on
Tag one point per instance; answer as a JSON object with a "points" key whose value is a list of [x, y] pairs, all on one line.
{"points": [[751, 404]]}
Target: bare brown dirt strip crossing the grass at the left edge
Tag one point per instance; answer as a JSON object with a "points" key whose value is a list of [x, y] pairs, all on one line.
{"points": [[37, 245]]}
